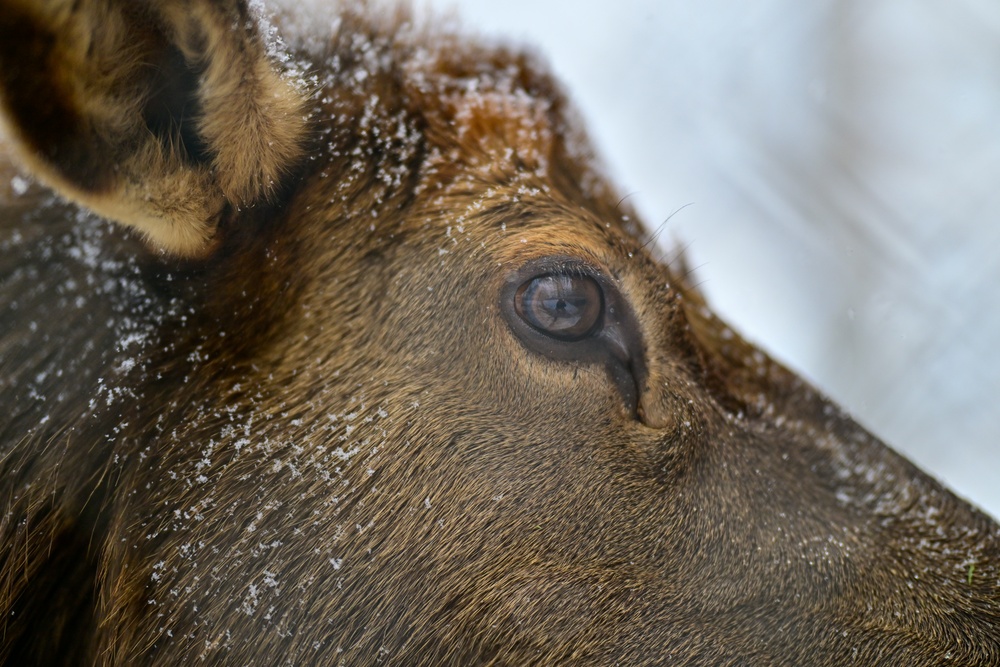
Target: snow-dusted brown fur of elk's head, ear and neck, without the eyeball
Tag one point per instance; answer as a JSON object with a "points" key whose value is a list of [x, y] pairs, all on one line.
{"points": [[329, 439]]}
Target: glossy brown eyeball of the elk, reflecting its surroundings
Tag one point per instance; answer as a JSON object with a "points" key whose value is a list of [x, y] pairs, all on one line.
{"points": [[566, 307]]}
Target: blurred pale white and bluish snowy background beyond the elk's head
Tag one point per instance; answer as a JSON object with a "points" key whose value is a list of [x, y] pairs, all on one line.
{"points": [[841, 159]]}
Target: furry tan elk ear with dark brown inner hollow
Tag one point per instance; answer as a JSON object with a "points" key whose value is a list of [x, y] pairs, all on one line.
{"points": [[159, 114]]}
